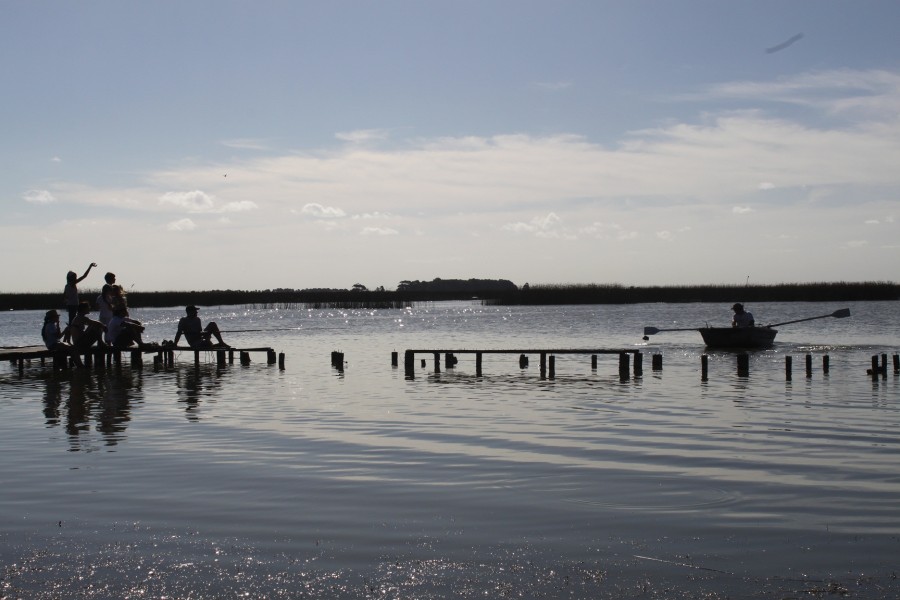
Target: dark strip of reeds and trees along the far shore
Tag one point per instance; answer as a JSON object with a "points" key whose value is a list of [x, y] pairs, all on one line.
{"points": [[489, 292]]}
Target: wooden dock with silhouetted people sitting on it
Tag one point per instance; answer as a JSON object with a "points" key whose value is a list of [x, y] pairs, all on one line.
{"points": [[101, 357]]}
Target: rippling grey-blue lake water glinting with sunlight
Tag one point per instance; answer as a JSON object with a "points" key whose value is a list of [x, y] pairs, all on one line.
{"points": [[256, 482]]}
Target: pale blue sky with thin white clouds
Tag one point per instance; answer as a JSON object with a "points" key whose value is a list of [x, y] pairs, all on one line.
{"points": [[200, 144]]}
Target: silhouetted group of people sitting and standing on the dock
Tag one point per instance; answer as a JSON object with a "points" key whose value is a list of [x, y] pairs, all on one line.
{"points": [[114, 327]]}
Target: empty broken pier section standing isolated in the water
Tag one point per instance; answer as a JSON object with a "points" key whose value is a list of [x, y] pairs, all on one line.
{"points": [[546, 356]]}
